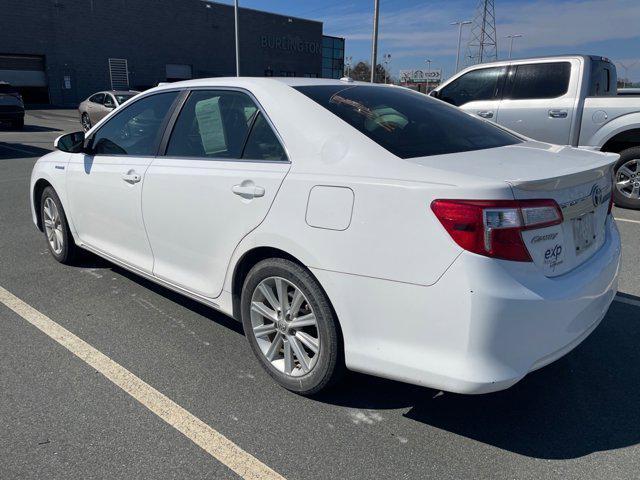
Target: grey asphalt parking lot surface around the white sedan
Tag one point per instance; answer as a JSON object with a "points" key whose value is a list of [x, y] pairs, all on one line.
{"points": [[60, 417]]}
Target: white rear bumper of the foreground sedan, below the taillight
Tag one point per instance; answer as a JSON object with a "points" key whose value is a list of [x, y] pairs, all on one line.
{"points": [[481, 328]]}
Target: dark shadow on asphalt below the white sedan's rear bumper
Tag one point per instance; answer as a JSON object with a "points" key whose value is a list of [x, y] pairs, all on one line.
{"points": [[586, 402]]}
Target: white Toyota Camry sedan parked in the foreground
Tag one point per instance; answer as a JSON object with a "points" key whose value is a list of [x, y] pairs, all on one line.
{"points": [[346, 225]]}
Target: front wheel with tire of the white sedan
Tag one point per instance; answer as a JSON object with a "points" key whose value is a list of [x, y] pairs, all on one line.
{"points": [[56, 229]]}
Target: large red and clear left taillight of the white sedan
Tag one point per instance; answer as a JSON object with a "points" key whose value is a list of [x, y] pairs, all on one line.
{"points": [[493, 227]]}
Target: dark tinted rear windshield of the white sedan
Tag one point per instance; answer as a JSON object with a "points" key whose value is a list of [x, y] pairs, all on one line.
{"points": [[406, 123]]}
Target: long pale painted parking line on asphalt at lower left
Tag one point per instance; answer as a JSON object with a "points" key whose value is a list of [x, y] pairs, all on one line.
{"points": [[213, 442]]}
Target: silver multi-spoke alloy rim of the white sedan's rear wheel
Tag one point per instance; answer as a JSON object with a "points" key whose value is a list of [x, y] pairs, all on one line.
{"points": [[285, 326]]}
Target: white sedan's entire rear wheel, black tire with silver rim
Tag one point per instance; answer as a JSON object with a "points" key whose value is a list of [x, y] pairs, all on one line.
{"points": [[326, 365]]}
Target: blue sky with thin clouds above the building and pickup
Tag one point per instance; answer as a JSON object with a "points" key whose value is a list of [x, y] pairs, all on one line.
{"points": [[413, 30]]}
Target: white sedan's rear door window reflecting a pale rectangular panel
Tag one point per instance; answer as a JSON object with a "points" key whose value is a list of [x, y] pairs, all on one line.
{"points": [[212, 124]]}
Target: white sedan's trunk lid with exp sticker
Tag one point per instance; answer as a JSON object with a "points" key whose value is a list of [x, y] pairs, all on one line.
{"points": [[579, 181]]}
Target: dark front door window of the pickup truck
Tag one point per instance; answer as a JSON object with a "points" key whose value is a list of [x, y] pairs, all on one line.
{"points": [[482, 84]]}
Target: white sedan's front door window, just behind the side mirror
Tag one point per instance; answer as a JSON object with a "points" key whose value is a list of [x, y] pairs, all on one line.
{"points": [[136, 129]]}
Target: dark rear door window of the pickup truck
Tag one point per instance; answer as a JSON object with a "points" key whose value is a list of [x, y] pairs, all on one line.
{"points": [[539, 80]]}
